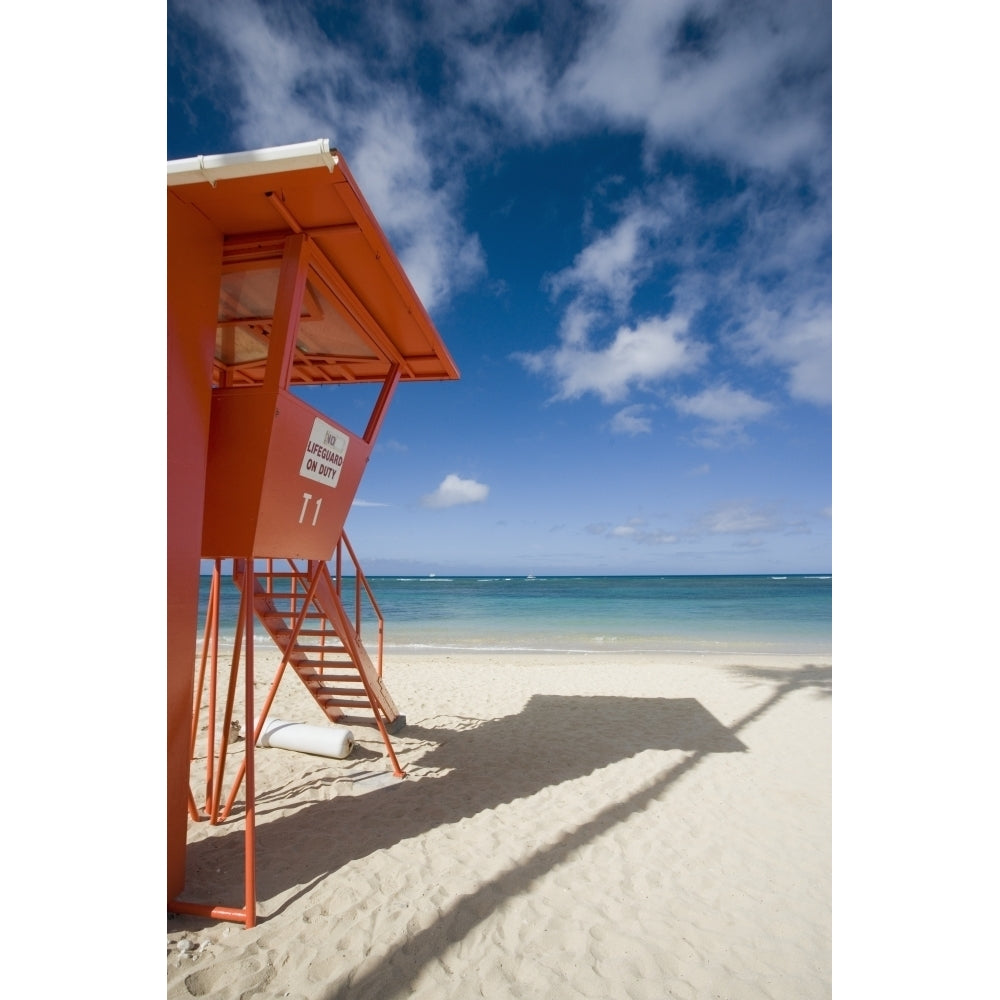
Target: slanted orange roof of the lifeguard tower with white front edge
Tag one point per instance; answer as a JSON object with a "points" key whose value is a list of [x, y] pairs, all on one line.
{"points": [[360, 314]]}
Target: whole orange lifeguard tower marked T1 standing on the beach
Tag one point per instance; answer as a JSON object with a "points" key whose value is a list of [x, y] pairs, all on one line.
{"points": [[278, 275]]}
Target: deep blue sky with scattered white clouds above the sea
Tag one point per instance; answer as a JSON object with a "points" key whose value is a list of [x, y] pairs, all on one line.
{"points": [[619, 218]]}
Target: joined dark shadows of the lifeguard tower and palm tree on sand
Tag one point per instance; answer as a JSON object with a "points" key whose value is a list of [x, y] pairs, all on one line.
{"points": [[486, 763]]}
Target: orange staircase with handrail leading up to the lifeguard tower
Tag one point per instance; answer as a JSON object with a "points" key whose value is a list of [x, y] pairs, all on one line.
{"points": [[303, 612]]}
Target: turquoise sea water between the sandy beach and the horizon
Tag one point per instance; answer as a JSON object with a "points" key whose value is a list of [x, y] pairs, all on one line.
{"points": [[590, 613]]}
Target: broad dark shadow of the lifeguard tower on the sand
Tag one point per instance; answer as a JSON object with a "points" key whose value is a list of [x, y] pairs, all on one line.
{"points": [[481, 764]]}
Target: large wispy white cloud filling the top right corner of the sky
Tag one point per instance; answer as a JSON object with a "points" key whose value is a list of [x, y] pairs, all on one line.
{"points": [[724, 80]]}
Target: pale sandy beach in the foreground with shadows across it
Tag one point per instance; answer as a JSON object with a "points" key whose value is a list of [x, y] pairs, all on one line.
{"points": [[571, 825]]}
